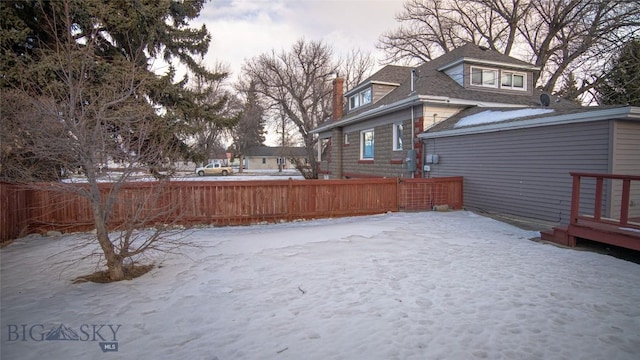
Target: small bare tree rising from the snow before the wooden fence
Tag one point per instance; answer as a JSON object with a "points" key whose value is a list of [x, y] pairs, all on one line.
{"points": [[82, 108]]}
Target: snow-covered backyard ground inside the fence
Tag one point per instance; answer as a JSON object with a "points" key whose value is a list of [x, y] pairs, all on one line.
{"points": [[396, 286]]}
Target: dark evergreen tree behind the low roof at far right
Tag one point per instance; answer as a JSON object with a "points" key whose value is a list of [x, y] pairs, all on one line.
{"points": [[621, 84]]}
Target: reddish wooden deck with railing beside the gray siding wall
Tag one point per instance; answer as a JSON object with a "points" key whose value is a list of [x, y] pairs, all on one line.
{"points": [[623, 231]]}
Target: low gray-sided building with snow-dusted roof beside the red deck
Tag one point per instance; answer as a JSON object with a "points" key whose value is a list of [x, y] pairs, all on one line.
{"points": [[518, 161]]}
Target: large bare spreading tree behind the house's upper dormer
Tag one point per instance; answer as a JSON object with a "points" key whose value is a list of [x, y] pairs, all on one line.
{"points": [[560, 36]]}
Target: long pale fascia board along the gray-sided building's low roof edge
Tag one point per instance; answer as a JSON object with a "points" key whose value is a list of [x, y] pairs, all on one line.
{"points": [[587, 116]]}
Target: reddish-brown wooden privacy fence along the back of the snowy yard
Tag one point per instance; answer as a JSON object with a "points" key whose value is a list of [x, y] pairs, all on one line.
{"points": [[44, 207]]}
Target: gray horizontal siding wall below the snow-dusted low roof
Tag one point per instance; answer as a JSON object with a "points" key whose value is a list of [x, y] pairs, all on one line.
{"points": [[524, 172]]}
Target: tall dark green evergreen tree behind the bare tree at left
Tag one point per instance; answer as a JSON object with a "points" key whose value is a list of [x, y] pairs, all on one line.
{"points": [[120, 35]]}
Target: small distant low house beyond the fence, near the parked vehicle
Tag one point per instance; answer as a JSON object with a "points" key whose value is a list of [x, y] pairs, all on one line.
{"points": [[271, 158]]}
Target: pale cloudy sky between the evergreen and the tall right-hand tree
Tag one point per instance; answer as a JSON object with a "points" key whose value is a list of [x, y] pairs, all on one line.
{"points": [[242, 29]]}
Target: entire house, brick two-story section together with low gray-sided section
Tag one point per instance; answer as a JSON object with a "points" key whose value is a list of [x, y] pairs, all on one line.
{"points": [[474, 112]]}
